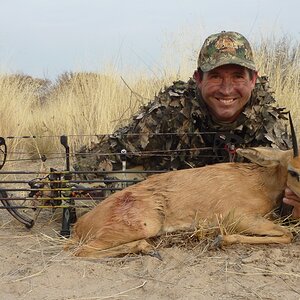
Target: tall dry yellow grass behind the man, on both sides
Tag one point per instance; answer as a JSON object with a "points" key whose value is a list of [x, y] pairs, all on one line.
{"points": [[84, 104]]}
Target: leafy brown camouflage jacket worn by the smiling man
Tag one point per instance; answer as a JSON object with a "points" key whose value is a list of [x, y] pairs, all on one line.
{"points": [[176, 131]]}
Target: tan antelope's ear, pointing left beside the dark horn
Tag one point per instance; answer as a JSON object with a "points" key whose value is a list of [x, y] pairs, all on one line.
{"points": [[265, 156]]}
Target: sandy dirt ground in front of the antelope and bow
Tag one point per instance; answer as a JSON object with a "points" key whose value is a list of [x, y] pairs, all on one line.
{"points": [[34, 266]]}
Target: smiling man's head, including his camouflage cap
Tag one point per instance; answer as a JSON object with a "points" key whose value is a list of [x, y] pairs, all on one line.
{"points": [[226, 75]]}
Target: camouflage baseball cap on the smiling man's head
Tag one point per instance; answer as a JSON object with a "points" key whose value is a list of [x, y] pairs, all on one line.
{"points": [[226, 47]]}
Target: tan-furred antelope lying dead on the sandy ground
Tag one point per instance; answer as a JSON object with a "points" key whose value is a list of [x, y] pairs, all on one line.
{"points": [[178, 200]]}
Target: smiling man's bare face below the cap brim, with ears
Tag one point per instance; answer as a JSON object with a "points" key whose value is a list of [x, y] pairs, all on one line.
{"points": [[226, 90]]}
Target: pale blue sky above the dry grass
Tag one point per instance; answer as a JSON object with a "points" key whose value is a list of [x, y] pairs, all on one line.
{"points": [[44, 38]]}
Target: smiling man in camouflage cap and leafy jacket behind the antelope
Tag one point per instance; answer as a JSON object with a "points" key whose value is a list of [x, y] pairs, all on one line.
{"points": [[201, 122]]}
